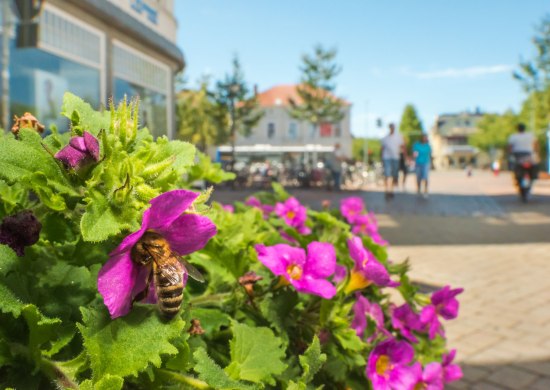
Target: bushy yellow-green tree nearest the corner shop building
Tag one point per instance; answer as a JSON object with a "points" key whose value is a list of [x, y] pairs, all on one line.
{"points": [[198, 118]]}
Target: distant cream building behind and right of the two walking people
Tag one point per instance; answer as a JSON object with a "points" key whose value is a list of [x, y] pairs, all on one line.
{"points": [[449, 140]]}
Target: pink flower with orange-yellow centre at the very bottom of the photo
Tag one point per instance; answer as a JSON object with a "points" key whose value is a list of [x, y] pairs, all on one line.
{"points": [[387, 367]]}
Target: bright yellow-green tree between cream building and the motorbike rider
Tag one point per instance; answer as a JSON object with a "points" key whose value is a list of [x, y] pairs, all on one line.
{"points": [[493, 131]]}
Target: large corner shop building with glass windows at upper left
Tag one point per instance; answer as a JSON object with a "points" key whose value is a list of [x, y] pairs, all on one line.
{"points": [[96, 49]]}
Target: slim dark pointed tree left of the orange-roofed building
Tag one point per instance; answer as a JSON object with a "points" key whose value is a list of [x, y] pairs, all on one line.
{"points": [[235, 98]]}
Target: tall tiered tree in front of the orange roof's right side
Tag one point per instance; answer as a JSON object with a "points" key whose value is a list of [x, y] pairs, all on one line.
{"points": [[317, 102]]}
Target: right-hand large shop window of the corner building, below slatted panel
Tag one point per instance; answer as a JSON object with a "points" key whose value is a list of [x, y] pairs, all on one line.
{"points": [[152, 105]]}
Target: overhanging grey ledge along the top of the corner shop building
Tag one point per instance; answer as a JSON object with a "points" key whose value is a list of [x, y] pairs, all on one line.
{"points": [[111, 14]]}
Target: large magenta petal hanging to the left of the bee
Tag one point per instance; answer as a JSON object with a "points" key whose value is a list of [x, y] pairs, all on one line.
{"points": [[116, 282]]}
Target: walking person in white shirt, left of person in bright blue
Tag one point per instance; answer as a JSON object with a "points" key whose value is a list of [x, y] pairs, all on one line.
{"points": [[392, 145]]}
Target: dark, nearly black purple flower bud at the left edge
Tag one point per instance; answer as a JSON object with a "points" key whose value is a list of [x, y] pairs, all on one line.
{"points": [[20, 230]]}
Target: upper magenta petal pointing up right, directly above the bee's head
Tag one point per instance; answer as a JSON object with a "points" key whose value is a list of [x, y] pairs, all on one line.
{"points": [[167, 207]]}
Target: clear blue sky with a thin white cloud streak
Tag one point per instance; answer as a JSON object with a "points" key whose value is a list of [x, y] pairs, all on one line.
{"points": [[441, 56]]}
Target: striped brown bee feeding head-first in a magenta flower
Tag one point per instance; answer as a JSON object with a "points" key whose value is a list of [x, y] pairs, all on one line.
{"points": [[168, 270]]}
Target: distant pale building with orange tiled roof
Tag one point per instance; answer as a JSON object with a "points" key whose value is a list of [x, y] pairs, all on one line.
{"points": [[281, 136]]}
